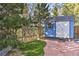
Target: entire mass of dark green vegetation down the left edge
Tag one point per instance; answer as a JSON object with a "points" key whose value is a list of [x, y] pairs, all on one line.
{"points": [[10, 22]]}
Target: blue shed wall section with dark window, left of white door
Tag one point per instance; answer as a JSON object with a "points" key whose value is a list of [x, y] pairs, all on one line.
{"points": [[50, 29]]}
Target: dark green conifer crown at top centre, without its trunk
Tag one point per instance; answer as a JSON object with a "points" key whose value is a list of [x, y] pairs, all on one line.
{"points": [[41, 11]]}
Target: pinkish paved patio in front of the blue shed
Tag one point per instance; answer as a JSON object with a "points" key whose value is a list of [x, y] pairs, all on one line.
{"points": [[59, 48]]}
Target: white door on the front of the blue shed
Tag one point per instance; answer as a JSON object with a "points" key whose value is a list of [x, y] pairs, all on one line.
{"points": [[62, 29]]}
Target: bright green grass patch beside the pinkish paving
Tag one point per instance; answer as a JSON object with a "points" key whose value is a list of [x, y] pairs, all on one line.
{"points": [[34, 48]]}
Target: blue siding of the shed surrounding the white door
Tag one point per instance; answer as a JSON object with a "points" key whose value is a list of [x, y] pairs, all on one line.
{"points": [[51, 32]]}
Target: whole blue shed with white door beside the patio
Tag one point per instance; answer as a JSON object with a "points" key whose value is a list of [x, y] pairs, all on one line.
{"points": [[59, 27]]}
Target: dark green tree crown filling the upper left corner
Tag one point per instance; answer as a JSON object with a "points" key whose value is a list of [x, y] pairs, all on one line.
{"points": [[10, 16]]}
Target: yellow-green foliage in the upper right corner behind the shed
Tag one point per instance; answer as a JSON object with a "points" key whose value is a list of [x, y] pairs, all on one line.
{"points": [[71, 9]]}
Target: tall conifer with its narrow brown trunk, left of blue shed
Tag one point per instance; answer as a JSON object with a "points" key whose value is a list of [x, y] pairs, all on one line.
{"points": [[42, 13]]}
